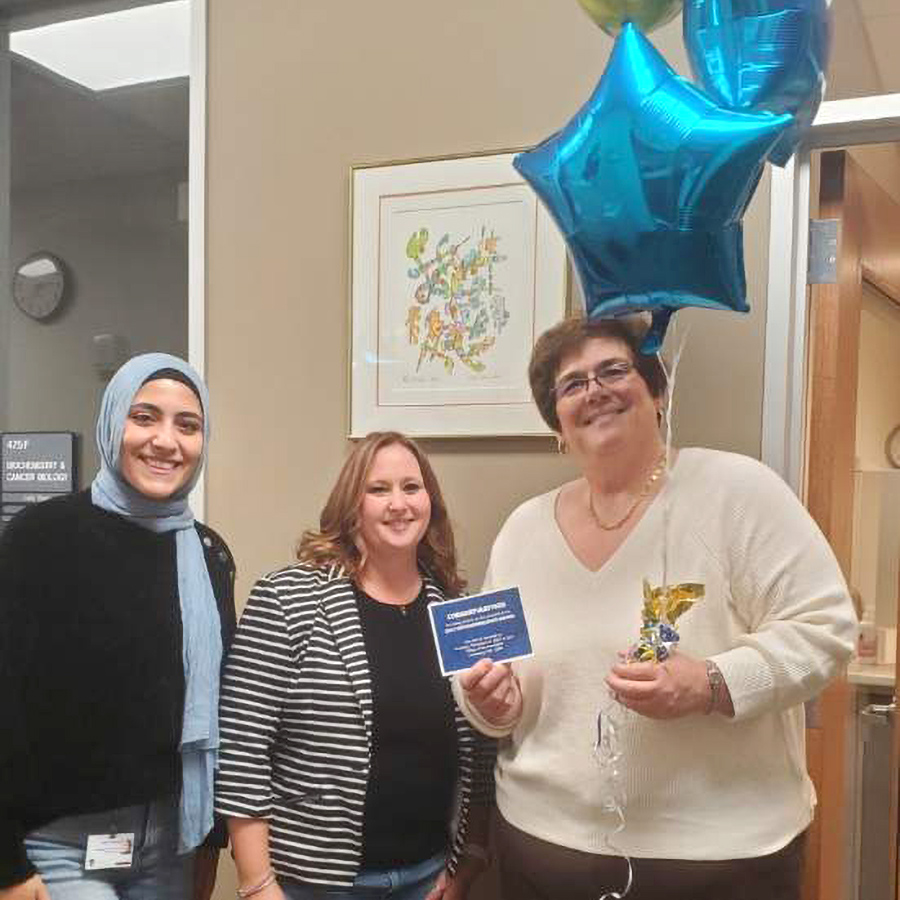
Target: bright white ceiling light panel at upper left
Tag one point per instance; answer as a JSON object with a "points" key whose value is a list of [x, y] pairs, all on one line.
{"points": [[132, 46]]}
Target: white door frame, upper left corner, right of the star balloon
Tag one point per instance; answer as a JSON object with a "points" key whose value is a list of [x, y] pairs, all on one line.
{"points": [[839, 123]]}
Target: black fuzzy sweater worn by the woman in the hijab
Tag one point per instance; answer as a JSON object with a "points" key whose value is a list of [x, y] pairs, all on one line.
{"points": [[91, 675]]}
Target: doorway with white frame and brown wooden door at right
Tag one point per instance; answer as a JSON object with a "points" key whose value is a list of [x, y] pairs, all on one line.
{"points": [[820, 362]]}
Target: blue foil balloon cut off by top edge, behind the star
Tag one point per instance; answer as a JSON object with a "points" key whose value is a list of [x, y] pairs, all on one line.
{"points": [[759, 55]]}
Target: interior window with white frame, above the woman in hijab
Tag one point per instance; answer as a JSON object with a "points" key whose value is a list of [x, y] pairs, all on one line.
{"points": [[102, 104]]}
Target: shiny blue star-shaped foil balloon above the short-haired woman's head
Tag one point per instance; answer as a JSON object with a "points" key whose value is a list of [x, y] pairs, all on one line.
{"points": [[648, 184]]}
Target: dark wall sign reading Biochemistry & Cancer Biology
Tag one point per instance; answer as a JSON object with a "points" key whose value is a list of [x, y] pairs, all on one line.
{"points": [[35, 466]]}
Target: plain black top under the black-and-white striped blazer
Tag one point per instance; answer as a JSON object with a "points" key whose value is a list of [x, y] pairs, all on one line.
{"points": [[413, 771]]}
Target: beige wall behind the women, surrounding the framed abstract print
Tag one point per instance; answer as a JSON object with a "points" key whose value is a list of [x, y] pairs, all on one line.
{"points": [[298, 91]]}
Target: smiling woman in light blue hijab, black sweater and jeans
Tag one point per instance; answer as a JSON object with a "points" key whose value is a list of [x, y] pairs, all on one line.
{"points": [[115, 608]]}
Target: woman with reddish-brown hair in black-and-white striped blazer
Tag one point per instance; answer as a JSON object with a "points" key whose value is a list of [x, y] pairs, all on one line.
{"points": [[343, 756]]}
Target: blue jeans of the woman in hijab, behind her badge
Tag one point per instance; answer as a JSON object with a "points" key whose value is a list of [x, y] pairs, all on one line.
{"points": [[157, 872]]}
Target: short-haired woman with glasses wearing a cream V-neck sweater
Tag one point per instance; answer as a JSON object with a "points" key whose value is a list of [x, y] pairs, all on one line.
{"points": [[717, 794]]}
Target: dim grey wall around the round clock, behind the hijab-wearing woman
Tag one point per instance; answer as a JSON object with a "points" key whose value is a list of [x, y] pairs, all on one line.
{"points": [[126, 254]]}
